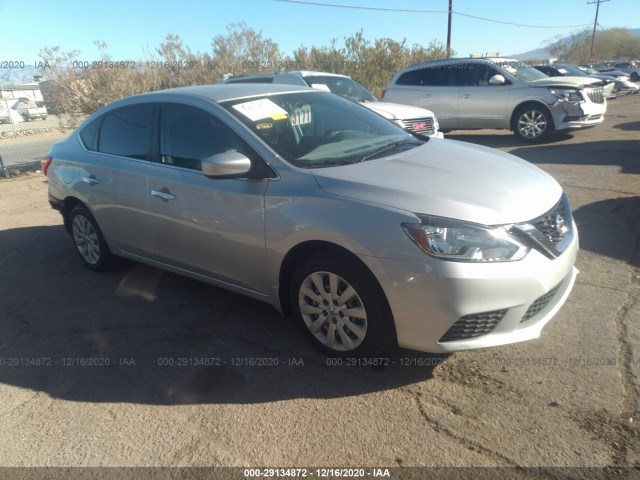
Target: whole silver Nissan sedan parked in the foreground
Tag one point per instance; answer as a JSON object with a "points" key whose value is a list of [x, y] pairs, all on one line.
{"points": [[320, 207]]}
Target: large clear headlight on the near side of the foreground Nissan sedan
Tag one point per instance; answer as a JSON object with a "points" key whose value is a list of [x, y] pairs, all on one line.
{"points": [[455, 240]]}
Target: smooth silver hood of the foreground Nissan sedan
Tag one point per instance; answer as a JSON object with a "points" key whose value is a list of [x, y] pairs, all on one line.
{"points": [[451, 179]]}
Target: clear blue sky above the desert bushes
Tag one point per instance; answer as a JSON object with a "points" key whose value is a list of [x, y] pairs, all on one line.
{"points": [[133, 28]]}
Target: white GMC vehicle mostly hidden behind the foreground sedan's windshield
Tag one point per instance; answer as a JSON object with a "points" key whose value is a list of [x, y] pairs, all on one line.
{"points": [[418, 121]]}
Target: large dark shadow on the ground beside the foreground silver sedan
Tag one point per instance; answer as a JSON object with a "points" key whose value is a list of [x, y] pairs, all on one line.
{"points": [[137, 334]]}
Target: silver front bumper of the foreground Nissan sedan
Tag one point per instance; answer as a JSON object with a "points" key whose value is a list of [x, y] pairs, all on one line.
{"points": [[509, 302]]}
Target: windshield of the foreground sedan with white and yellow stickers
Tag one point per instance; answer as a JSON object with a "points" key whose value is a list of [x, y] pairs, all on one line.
{"points": [[317, 129]]}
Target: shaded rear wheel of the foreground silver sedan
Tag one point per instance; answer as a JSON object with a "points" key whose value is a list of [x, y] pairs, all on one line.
{"points": [[88, 239]]}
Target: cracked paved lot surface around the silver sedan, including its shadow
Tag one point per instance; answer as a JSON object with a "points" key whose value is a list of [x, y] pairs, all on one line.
{"points": [[569, 399]]}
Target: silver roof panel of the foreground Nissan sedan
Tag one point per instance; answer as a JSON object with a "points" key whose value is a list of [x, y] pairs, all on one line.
{"points": [[227, 91]]}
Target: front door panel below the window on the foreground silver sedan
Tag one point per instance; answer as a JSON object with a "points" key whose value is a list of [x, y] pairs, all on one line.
{"points": [[211, 227]]}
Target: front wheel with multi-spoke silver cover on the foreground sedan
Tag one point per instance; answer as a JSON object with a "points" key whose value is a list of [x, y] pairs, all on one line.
{"points": [[358, 324]]}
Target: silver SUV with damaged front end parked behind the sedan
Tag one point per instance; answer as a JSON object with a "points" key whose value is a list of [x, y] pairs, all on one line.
{"points": [[499, 93]]}
